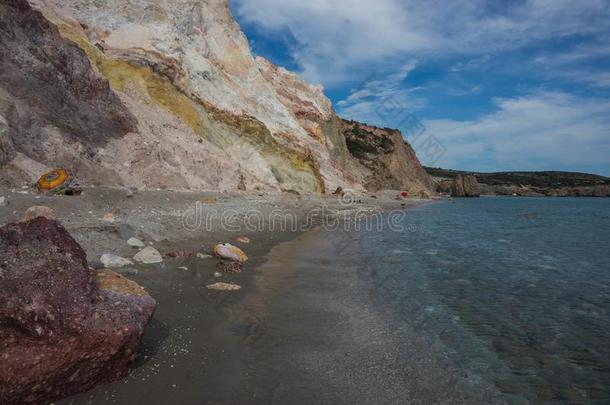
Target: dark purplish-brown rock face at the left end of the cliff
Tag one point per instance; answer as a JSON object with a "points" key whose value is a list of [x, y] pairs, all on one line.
{"points": [[52, 104]]}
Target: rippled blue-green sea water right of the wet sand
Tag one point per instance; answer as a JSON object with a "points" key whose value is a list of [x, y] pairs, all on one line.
{"points": [[514, 291]]}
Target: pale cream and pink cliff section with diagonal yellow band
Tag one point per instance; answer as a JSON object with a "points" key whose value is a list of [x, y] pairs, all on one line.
{"points": [[207, 114]]}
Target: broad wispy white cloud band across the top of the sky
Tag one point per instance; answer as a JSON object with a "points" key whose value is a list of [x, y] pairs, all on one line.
{"points": [[339, 41]]}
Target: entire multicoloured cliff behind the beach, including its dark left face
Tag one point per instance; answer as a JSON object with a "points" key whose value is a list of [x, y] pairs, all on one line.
{"points": [[159, 94]]}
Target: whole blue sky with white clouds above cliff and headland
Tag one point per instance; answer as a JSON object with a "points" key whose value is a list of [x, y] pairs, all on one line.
{"points": [[475, 85]]}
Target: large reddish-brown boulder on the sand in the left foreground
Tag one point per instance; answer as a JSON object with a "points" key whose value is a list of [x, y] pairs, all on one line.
{"points": [[63, 328]]}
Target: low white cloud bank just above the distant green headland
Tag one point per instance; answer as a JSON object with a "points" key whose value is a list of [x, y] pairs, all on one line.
{"points": [[546, 130]]}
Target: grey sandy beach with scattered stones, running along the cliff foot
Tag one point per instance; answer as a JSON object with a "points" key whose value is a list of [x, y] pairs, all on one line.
{"points": [[196, 334]]}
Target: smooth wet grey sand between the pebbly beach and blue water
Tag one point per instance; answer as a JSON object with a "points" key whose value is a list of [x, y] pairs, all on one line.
{"points": [[318, 338]]}
